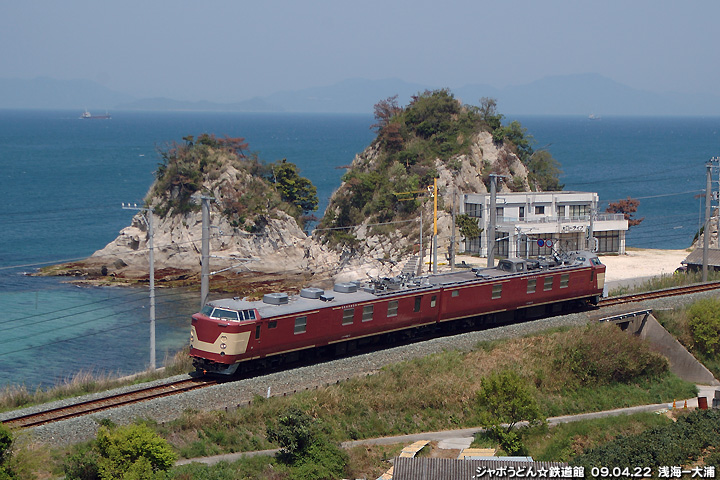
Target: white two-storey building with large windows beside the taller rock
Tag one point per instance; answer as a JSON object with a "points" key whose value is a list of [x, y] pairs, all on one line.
{"points": [[537, 223]]}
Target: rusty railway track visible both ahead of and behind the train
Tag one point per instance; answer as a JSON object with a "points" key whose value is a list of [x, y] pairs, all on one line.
{"points": [[148, 393]]}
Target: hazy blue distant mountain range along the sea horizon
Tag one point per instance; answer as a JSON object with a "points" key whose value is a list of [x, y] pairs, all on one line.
{"points": [[581, 94]]}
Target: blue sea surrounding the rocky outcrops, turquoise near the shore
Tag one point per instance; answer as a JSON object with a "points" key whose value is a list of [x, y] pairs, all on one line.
{"points": [[63, 181]]}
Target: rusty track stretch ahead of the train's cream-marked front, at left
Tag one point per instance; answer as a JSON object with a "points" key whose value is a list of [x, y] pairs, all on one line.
{"points": [[100, 404]]}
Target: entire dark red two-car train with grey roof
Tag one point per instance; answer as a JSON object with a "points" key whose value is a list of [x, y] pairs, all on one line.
{"points": [[228, 332]]}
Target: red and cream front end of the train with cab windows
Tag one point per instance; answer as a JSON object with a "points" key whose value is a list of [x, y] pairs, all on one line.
{"points": [[219, 338]]}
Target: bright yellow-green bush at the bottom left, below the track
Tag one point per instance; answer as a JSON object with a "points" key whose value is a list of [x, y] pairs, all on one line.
{"points": [[129, 452]]}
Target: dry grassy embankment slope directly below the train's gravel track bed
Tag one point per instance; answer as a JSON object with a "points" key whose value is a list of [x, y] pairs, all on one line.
{"points": [[573, 371]]}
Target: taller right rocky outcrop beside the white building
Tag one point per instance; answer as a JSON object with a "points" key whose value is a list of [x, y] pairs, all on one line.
{"points": [[375, 214]]}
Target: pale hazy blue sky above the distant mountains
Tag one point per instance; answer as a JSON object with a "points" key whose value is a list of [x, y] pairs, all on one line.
{"points": [[228, 50]]}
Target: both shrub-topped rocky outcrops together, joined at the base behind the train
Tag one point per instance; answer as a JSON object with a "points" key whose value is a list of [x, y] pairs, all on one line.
{"points": [[371, 226]]}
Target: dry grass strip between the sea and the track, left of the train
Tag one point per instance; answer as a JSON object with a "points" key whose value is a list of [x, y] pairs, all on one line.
{"points": [[82, 383]]}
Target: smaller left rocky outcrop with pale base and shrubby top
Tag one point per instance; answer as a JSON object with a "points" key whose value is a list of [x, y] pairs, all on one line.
{"points": [[252, 226]]}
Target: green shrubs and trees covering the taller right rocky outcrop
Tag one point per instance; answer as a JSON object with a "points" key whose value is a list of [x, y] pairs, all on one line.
{"points": [[434, 126]]}
